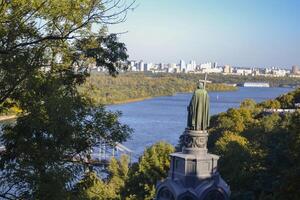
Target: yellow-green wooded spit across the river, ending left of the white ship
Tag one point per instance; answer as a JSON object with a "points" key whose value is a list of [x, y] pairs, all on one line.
{"points": [[103, 89]]}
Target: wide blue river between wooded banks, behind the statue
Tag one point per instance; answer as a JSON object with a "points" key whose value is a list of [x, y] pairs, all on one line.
{"points": [[164, 118]]}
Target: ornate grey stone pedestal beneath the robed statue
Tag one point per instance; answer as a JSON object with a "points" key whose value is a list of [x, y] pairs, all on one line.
{"points": [[193, 172]]}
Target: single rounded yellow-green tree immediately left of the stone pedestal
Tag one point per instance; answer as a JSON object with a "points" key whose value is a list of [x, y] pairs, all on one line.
{"points": [[152, 167]]}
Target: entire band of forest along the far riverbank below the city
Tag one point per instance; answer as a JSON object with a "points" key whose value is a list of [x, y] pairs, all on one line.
{"points": [[127, 87]]}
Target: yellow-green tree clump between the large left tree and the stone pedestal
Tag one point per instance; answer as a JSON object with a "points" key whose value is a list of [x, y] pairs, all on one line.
{"points": [[134, 182]]}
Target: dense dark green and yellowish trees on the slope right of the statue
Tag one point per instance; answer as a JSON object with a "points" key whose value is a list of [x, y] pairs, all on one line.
{"points": [[259, 152]]}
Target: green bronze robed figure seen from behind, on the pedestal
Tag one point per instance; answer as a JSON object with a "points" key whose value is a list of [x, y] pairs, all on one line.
{"points": [[198, 109]]}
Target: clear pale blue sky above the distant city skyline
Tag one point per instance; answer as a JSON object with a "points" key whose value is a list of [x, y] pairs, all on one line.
{"points": [[261, 33]]}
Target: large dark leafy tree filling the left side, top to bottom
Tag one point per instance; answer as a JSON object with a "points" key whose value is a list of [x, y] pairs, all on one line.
{"points": [[45, 50]]}
